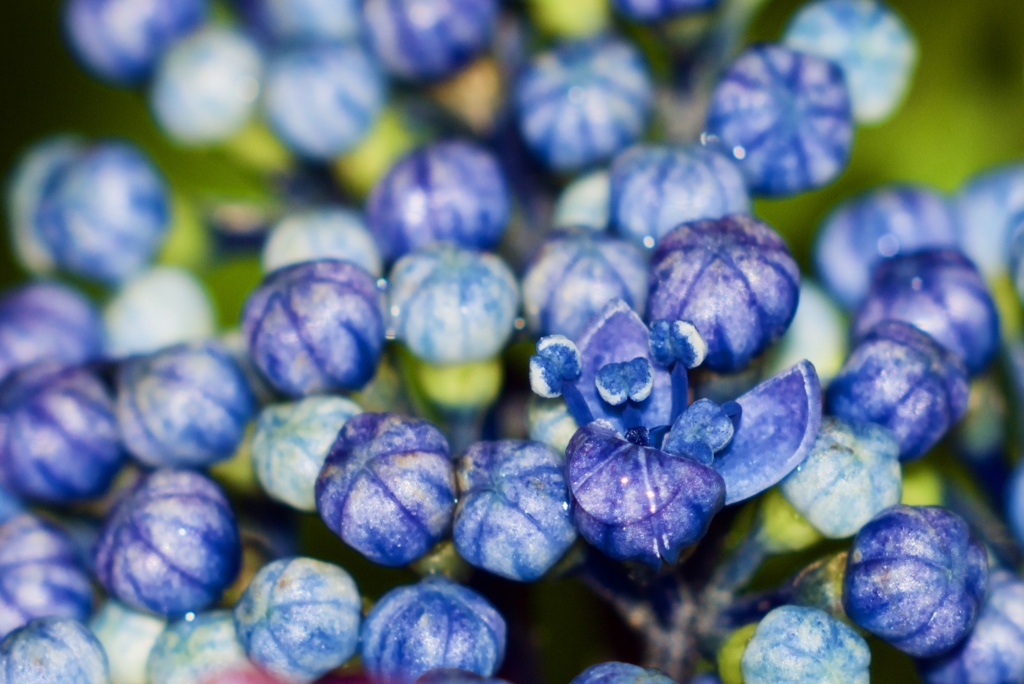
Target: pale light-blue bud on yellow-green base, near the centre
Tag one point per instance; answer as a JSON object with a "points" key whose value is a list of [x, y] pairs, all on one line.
{"points": [[451, 306]]}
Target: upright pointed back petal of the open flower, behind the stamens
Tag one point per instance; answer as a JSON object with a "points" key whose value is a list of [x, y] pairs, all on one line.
{"points": [[619, 335]]}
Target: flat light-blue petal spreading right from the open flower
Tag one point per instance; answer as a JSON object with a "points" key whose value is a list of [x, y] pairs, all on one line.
{"points": [[780, 422]]}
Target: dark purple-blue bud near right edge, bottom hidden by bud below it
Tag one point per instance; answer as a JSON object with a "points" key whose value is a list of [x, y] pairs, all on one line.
{"points": [[942, 293]]}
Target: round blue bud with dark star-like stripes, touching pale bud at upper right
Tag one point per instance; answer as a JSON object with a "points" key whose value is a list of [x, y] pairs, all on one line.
{"points": [[786, 118]]}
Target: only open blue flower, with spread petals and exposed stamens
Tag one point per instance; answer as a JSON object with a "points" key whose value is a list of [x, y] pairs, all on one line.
{"points": [[648, 471]]}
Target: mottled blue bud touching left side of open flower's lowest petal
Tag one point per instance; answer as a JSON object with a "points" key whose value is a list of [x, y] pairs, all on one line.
{"points": [[514, 517]]}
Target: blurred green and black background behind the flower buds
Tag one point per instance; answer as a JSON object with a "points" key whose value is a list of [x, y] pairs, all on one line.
{"points": [[965, 113]]}
